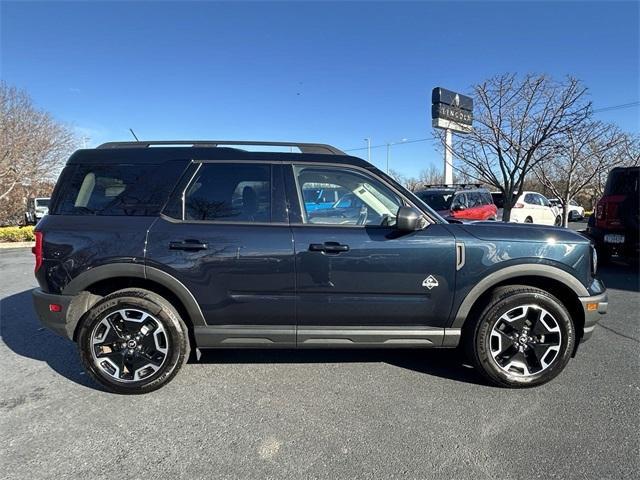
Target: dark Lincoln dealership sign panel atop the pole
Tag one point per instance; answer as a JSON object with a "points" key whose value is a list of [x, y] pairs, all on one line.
{"points": [[451, 110]]}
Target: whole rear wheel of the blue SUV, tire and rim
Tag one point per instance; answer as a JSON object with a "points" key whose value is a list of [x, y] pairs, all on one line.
{"points": [[125, 358]]}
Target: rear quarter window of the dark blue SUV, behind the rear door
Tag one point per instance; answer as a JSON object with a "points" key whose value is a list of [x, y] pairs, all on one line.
{"points": [[116, 189]]}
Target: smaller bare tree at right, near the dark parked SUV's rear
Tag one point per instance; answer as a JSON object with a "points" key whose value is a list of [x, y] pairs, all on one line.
{"points": [[581, 155]]}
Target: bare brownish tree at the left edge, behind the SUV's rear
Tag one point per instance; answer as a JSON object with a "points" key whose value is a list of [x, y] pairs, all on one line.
{"points": [[33, 145]]}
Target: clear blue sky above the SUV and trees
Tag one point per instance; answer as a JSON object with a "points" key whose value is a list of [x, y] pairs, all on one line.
{"points": [[326, 72]]}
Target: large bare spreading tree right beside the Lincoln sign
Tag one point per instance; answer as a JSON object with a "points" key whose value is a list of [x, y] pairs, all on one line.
{"points": [[516, 122]]}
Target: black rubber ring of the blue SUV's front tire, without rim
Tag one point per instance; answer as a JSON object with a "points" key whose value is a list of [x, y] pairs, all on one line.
{"points": [[491, 317]]}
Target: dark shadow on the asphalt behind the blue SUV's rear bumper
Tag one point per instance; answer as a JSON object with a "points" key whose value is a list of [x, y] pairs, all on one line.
{"points": [[22, 332]]}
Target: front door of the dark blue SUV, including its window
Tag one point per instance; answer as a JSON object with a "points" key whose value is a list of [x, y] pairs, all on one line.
{"points": [[359, 280]]}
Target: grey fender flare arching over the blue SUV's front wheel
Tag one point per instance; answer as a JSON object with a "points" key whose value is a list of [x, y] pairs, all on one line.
{"points": [[514, 271]]}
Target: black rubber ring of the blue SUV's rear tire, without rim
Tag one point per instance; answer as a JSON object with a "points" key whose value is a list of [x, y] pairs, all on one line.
{"points": [[176, 337]]}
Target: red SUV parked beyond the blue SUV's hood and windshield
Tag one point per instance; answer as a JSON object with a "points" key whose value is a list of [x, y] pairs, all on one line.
{"points": [[461, 202]]}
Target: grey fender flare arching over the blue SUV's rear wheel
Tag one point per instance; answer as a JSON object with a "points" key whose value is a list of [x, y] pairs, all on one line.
{"points": [[138, 271]]}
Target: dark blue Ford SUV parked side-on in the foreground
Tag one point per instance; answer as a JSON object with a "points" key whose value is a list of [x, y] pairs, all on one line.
{"points": [[152, 250]]}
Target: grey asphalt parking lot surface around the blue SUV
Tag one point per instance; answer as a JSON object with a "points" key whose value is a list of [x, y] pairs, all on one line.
{"points": [[318, 414]]}
